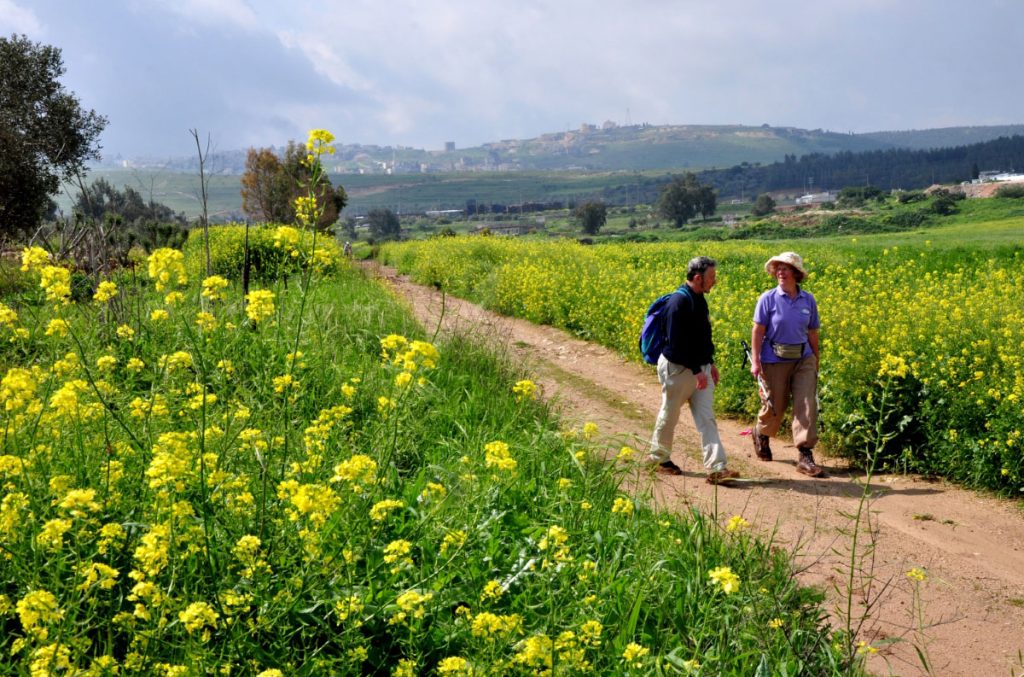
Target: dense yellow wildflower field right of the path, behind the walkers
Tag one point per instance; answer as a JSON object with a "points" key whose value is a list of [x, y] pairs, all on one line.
{"points": [[942, 327]]}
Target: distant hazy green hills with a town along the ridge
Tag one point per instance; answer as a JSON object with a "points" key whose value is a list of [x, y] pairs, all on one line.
{"points": [[620, 165]]}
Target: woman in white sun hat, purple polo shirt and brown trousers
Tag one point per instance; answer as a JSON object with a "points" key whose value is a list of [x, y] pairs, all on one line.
{"points": [[786, 354]]}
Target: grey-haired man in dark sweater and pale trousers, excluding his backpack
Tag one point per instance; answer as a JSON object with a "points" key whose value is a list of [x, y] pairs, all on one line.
{"points": [[687, 370]]}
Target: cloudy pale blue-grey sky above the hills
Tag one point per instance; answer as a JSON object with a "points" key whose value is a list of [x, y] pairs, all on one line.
{"points": [[423, 72]]}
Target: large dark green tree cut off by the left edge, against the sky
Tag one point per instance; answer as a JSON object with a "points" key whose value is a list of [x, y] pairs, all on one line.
{"points": [[46, 136]]}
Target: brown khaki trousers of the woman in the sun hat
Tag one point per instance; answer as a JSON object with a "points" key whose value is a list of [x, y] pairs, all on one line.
{"points": [[799, 379]]}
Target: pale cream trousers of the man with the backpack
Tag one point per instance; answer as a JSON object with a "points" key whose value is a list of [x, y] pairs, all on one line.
{"points": [[680, 386]]}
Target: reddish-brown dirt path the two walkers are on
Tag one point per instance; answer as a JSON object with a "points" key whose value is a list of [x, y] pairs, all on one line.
{"points": [[972, 547]]}
